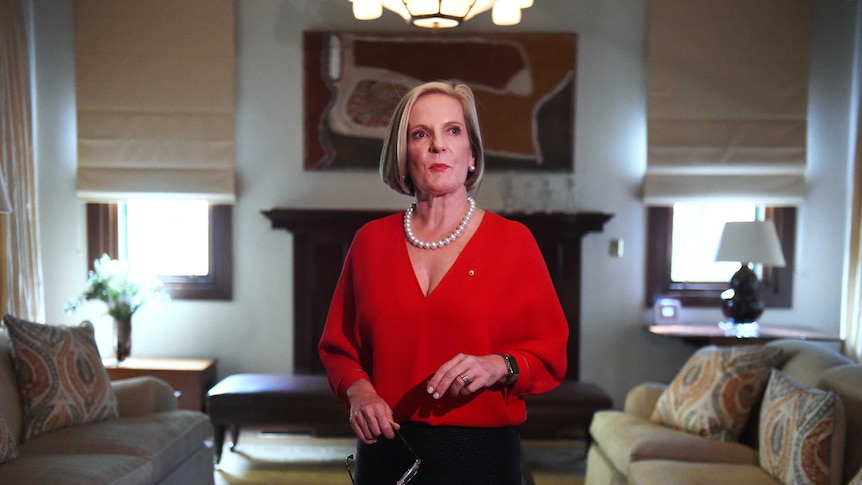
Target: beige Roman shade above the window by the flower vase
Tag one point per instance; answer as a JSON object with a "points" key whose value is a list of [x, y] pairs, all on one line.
{"points": [[155, 99]]}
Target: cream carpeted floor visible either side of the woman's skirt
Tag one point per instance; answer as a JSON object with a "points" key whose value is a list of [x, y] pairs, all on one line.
{"points": [[263, 458]]}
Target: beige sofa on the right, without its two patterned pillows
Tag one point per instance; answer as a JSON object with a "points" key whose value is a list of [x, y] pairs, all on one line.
{"points": [[631, 448]]}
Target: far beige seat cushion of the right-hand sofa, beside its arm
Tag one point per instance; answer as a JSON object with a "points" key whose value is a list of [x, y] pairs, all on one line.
{"points": [[625, 439]]}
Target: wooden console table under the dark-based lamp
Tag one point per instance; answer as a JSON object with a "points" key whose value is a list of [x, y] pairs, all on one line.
{"points": [[706, 334]]}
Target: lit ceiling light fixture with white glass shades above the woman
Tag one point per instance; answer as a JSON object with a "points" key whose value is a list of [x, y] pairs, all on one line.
{"points": [[442, 14]]}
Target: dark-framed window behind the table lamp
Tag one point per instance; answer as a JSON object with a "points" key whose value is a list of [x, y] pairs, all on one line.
{"points": [[681, 245]]}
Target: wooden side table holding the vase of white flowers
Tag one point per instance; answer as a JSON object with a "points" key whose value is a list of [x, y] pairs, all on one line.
{"points": [[191, 377]]}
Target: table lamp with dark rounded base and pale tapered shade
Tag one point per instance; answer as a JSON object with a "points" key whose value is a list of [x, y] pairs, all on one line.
{"points": [[749, 243]]}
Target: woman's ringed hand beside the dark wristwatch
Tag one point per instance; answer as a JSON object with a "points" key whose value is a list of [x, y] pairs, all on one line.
{"points": [[466, 374]]}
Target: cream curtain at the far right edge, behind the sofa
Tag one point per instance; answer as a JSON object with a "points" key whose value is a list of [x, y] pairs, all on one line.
{"points": [[852, 321]]}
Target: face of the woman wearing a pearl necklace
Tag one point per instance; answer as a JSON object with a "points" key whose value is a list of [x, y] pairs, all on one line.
{"points": [[438, 145]]}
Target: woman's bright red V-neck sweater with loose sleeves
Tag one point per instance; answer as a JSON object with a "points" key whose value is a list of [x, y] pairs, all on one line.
{"points": [[496, 298]]}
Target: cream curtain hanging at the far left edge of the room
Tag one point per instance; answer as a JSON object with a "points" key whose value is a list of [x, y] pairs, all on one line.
{"points": [[20, 267]]}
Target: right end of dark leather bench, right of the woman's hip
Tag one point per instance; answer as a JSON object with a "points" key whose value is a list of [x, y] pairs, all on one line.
{"points": [[564, 412]]}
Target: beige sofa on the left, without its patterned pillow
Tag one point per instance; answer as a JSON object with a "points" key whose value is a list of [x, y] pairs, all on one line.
{"points": [[152, 442]]}
